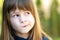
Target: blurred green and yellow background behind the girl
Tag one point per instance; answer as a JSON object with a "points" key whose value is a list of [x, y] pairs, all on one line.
{"points": [[49, 11]]}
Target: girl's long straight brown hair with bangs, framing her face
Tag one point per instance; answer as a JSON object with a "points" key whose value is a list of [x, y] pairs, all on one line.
{"points": [[8, 31]]}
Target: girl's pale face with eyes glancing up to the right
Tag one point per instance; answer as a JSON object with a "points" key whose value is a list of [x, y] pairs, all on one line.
{"points": [[21, 20]]}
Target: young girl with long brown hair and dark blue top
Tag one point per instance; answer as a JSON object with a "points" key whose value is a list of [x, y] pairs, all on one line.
{"points": [[21, 21]]}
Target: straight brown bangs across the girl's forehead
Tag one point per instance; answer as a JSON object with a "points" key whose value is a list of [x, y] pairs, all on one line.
{"points": [[20, 4]]}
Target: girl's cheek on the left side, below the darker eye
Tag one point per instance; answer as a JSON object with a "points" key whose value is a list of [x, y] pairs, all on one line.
{"points": [[15, 24]]}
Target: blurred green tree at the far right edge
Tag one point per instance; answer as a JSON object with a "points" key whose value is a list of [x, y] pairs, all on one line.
{"points": [[54, 19]]}
